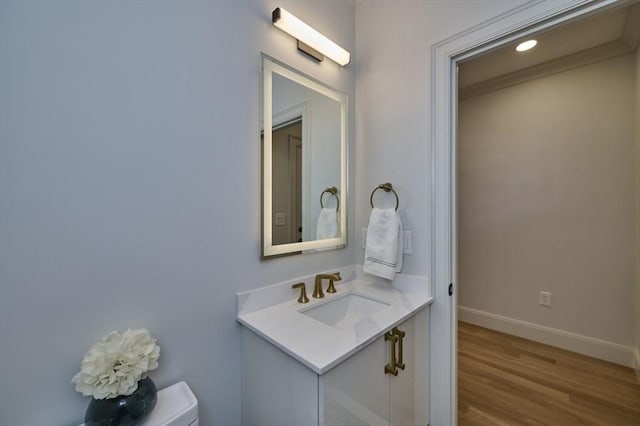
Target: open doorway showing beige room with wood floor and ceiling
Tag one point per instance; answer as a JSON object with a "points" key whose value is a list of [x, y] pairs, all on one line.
{"points": [[546, 174]]}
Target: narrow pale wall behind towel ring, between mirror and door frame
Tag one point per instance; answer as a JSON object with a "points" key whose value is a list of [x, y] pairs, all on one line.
{"points": [[394, 105]]}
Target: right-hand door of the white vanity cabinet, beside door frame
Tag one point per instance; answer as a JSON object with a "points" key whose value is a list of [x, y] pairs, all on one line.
{"points": [[409, 389]]}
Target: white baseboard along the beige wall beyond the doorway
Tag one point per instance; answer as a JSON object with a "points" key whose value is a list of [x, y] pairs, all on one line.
{"points": [[597, 348]]}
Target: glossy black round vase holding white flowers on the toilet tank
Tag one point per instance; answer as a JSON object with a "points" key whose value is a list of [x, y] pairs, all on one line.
{"points": [[126, 410]]}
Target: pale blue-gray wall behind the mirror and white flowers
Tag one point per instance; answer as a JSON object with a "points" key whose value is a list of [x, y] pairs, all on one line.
{"points": [[130, 188]]}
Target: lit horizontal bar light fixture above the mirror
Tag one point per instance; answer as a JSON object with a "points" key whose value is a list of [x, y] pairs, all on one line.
{"points": [[310, 41]]}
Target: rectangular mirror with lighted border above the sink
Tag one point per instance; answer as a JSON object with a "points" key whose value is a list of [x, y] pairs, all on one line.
{"points": [[304, 162]]}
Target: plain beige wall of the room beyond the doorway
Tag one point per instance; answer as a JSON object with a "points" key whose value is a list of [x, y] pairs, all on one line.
{"points": [[547, 201]]}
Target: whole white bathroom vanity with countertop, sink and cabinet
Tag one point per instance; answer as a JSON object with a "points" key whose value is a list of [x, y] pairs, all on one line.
{"points": [[356, 357]]}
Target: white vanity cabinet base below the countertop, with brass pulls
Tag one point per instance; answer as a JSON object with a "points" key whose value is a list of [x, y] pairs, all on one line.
{"points": [[279, 390]]}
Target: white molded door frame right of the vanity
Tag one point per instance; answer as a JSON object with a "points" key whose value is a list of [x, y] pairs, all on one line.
{"points": [[529, 18]]}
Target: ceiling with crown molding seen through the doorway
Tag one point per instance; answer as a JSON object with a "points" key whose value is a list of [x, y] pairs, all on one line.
{"points": [[619, 28]]}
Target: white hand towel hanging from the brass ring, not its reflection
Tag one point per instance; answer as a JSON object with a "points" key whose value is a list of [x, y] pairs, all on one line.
{"points": [[383, 249]]}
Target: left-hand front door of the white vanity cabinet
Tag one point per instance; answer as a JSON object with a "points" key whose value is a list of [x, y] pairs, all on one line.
{"points": [[356, 392]]}
